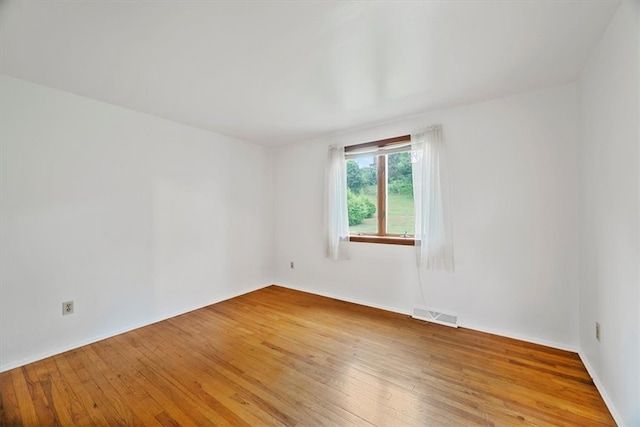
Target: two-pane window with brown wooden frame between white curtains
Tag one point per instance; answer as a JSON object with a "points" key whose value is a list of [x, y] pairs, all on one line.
{"points": [[380, 191]]}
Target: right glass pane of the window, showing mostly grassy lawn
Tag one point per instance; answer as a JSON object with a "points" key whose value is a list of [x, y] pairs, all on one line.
{"points": [[400, 217]]}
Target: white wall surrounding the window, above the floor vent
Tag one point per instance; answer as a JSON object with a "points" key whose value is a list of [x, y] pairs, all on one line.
{"points": [[513, 169]]}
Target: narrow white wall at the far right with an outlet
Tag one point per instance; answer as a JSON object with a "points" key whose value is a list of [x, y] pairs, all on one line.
{"points": [[610, 214]]}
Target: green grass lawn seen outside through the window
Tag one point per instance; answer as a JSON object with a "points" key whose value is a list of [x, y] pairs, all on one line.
{"points": [[400, 216]]}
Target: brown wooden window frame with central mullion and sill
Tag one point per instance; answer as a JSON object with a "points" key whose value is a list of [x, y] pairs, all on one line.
{"points": [[381, 236]]}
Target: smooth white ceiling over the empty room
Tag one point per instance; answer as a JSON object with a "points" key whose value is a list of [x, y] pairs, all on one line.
{"points": [[276, 72]]}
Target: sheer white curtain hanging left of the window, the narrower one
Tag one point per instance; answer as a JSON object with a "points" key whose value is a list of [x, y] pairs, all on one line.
{"points": [[337, 217]]}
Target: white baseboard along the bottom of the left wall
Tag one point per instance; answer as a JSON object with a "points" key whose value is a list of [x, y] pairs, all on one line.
{"points": [[78, 344]]}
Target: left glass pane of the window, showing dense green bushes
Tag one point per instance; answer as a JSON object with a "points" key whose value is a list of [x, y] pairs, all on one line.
{"points": [[362, 194]]}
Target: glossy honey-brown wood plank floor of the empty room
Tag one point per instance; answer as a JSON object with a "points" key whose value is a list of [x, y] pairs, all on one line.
{"points": [[282, 357]]}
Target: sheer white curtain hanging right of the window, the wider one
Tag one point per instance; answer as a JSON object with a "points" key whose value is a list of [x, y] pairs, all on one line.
{"points": [[434, 239]]}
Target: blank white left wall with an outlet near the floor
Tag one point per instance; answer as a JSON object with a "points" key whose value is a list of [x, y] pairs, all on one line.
{"points": [[133, 217]]}
